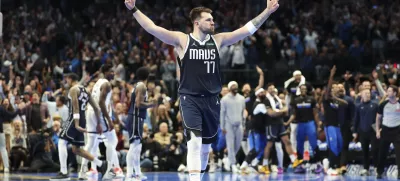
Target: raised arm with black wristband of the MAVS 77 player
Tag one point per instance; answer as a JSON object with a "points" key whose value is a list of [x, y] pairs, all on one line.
{"points": [[173, 38]]}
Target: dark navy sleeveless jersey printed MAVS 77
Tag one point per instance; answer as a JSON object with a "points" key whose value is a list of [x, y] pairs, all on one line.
{"points": [[200, 68]]}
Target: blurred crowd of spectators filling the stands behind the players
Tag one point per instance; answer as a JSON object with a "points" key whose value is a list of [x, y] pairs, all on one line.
{"points": [[44, 39]]}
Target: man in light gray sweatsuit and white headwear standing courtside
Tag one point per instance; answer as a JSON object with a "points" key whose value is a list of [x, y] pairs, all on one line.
{"points": [[233, 106]]}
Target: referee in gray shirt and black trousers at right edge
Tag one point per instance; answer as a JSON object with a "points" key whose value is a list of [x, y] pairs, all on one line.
{"points": [[389, 131]]}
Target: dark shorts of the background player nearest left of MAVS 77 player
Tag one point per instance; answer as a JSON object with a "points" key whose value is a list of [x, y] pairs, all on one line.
{"points": [[135, 127]]}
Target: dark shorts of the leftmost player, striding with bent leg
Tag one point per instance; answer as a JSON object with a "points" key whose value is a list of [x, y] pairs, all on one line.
{"points": [[72, 135]]}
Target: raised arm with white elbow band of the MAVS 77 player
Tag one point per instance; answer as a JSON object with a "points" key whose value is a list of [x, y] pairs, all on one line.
{"points": [[226, 39]]}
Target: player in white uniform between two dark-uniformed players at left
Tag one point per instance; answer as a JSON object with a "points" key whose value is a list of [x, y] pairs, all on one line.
{"points": [[101, 94]]}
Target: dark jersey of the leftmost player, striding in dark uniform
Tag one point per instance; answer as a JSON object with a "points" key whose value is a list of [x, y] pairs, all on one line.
{"points": [[83, 99]]}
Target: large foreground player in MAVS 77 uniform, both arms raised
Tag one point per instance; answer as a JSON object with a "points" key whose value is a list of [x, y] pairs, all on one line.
{"points": [[200, 81]]}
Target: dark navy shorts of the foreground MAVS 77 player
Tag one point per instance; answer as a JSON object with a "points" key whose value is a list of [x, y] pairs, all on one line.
{"points": [[201, 116]]}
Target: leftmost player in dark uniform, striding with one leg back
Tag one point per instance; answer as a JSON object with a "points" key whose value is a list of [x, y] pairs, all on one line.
{"points": [[74, 127]]}
